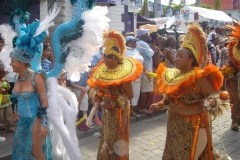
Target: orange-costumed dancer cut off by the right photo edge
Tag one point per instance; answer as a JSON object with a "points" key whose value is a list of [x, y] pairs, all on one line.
{"points": [[231, 72]]}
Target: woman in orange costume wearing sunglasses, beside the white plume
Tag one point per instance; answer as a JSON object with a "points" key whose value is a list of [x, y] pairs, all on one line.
{"points": [[112, 80]]}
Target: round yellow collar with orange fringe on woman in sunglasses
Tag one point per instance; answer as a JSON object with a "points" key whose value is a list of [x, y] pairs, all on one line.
{"points": [[129, 71]]}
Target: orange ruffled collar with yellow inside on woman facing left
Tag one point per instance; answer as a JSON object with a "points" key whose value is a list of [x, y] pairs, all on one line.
{"points": [[177, 86]]}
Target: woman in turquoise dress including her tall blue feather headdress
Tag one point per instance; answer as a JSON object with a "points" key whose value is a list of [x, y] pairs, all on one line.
{"points": [[31, 139]]}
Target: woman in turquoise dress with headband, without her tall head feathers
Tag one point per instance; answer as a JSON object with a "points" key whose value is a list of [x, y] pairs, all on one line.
{"points": [[31, 139]]}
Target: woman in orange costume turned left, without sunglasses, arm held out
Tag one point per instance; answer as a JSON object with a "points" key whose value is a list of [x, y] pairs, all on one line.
{"points": [[191, 92]]}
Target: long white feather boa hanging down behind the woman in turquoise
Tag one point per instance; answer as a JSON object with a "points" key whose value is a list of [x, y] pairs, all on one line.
{"points": [[62, 115]]}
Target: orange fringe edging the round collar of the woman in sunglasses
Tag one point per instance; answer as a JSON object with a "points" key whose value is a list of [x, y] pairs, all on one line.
{"points": [[133, 77]]}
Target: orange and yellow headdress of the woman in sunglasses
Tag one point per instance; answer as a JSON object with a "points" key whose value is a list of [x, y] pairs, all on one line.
{"points": [[114, 39]]}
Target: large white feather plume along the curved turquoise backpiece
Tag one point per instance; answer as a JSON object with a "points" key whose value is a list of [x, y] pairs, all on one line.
{"points": [[84, 48]]}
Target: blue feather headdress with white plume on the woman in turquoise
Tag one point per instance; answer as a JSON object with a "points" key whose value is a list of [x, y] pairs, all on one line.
{"points": [[28, 42]]}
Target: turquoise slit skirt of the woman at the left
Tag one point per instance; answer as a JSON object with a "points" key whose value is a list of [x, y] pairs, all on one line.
{"points": [[22, 141]]}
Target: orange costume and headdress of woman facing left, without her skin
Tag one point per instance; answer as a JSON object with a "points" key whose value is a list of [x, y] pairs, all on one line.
{"points": [[179, 90]]}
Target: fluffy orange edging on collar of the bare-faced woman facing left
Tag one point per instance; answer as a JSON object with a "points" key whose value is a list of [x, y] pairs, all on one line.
{"points": [[210, 71]]}
